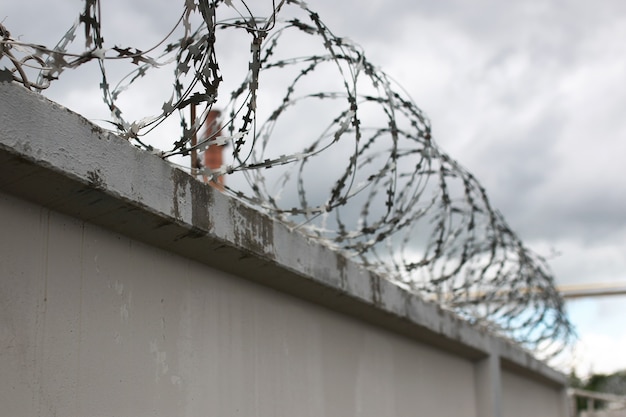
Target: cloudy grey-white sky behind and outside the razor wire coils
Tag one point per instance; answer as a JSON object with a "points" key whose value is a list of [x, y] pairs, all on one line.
{"points": [[528, 95]]}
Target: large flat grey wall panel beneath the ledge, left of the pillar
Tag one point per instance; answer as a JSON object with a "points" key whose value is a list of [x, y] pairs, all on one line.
{"points": [[94, 323]]}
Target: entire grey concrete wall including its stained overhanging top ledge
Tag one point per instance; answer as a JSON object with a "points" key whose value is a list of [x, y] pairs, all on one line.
{"points": [[129, 288]]}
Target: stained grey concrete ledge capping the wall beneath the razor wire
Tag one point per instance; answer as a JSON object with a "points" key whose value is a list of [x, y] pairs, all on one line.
{"points": [[56, 158]]}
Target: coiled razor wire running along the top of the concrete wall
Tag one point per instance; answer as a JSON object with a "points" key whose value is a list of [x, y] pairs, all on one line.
{"points": [[324, 141]]}
